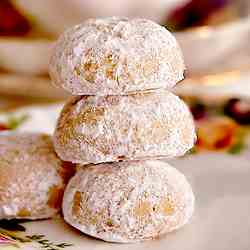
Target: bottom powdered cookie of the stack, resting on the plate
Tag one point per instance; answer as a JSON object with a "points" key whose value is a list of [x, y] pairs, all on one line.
{"points": [[128, 201]]}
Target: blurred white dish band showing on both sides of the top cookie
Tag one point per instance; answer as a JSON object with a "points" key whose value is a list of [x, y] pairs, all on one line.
{"points": [[206, 50]]}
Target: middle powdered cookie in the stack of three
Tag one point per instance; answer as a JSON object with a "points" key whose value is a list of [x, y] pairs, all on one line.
{"points": [[95, 129]]}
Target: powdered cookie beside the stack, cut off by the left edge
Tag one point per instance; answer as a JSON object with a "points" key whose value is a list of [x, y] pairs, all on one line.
{"points": [[32, 177]]}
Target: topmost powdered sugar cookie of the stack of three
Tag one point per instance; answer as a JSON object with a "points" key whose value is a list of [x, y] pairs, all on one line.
{"points": [[116, 56]]}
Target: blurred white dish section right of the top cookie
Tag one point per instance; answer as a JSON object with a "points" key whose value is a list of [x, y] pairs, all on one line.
{"points": [[215, 49]]}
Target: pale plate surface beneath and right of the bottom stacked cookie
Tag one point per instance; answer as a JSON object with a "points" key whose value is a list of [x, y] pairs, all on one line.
{"points": [[221, 220]]}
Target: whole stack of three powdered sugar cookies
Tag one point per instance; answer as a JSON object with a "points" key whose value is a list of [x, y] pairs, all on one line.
{"points": [[121, 119]]}
